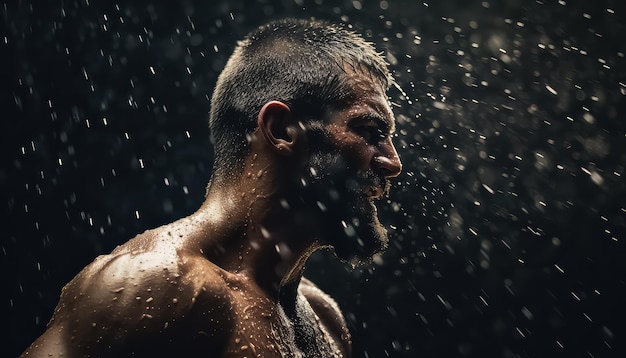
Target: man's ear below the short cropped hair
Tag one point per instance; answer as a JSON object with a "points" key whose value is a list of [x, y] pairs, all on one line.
{"points": [[275, 124]]}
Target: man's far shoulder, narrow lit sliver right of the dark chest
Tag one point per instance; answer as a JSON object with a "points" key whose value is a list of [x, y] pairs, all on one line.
{"points": [[329, 313]]}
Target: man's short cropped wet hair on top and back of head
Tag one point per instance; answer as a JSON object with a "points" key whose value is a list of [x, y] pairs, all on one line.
{"points": [[302, 63]]}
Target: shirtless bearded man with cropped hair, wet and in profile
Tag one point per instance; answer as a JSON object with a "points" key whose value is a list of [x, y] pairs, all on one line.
{"points": [[302, 130]]}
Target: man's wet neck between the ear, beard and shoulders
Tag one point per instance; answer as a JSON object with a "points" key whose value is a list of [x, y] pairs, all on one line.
{"points": [[251, 230]]}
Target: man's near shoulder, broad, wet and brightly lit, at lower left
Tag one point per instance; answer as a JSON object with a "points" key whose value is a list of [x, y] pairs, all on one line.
{"points": [[143, 298]]}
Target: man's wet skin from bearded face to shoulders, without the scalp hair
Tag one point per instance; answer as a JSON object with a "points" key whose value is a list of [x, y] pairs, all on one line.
{"points": [[227, 280]]}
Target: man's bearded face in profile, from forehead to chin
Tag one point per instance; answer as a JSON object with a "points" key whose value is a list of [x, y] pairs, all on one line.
{"points": [[351, 169]]}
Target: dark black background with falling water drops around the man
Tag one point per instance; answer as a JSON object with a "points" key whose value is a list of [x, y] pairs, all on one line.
{"points": [[509, 217]]}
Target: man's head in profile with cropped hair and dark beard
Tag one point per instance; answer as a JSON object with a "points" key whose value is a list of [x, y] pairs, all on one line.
{"points": [[333, 84]]}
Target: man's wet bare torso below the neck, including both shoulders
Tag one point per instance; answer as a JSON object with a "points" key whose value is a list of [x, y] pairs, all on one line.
{"points": [[157, 296]]}
